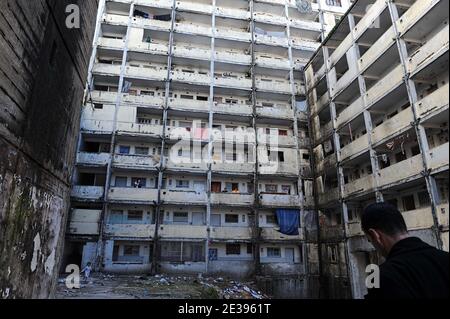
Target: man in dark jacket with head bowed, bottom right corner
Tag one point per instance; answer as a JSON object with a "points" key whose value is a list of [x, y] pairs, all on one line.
{"points": [[413, 269]]}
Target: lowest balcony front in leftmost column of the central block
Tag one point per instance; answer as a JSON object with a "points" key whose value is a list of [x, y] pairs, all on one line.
{"points": [[84, 222]]}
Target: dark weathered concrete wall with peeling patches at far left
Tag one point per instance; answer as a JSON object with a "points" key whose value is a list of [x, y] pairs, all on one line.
{"points": [[43, 68]]}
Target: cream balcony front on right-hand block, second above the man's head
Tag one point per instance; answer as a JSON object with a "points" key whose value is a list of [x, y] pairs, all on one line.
{"points": [[393, 126]]}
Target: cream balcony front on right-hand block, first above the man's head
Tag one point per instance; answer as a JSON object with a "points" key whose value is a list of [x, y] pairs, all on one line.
{"points": [[402, 171]]}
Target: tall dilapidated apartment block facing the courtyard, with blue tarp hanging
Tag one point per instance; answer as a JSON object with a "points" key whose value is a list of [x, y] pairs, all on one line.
{"points": [[194, 136]]}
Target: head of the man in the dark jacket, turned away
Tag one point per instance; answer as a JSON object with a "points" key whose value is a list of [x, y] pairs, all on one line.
{"points": [[384, 226]]}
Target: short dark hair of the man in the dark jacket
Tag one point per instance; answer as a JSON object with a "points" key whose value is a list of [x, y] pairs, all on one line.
{"points": [[384, 217]]}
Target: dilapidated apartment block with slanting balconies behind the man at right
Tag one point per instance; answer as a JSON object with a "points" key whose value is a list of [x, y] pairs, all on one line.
{"points": [[378, 96]]}
